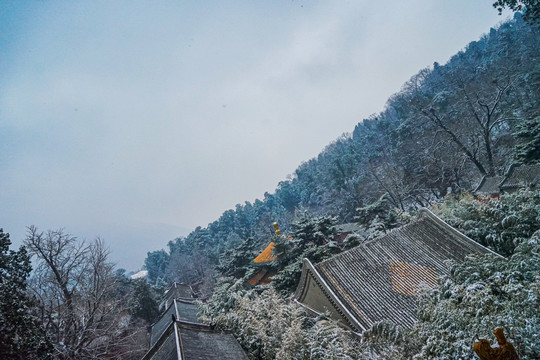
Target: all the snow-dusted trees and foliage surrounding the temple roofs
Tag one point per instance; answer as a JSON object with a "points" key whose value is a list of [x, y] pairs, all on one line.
{"points": [[446, 128]]}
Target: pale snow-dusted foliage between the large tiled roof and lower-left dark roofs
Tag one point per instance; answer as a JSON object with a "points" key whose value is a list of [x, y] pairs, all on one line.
{"points": [[270, 327]]}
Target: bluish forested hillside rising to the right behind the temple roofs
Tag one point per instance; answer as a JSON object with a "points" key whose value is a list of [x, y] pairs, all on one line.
{"points": [[448, 126]]}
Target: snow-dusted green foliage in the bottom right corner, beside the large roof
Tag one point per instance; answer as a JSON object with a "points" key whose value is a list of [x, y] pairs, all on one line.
{"points": [[478, 296]]}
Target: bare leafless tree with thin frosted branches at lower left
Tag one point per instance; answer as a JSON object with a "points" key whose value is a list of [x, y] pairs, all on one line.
{"points": [[78, 298]]}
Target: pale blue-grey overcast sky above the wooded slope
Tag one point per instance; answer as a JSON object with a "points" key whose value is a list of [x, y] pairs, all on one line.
{"points": [[137, 121]]}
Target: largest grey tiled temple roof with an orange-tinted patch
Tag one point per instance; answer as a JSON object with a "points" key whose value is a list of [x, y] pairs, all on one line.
{"points": [[379, 280]]}
